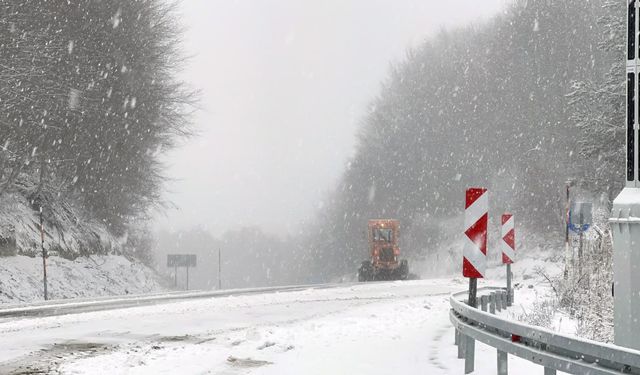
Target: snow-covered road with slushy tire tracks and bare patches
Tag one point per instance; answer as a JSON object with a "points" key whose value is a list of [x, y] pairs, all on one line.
{"points": [[377, 328]]}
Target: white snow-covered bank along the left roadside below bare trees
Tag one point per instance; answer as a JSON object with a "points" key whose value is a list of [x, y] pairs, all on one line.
{"points": [[21, 278]]}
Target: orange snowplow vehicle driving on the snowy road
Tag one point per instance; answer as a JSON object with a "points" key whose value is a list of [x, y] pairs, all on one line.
{"points": [[384, 252]]}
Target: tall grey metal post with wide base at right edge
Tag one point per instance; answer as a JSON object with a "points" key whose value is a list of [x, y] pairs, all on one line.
{"points": [[625, 216]]}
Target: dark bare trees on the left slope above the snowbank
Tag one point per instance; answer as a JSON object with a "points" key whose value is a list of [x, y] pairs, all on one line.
{"points": [[89, 100]]}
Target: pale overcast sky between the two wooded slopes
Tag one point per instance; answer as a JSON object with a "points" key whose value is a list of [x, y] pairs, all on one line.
{"points": [[284, 84]]}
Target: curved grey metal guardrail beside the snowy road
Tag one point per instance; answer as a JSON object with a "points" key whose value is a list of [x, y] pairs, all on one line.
{"points": [[553, 351]]}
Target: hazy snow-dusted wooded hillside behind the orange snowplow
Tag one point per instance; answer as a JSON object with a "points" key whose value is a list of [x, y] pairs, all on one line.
{"points": [[519, 104]]}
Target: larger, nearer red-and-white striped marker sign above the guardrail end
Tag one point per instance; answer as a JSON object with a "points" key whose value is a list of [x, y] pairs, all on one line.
{"points": [[476, 216]]}
